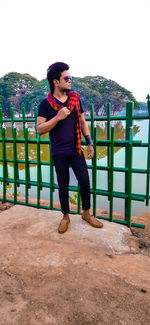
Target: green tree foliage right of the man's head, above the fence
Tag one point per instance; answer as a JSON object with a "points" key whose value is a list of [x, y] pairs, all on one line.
{"points": [[100, 89]]}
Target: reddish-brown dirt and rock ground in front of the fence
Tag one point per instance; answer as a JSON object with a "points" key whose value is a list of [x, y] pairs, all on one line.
{"points": [[86, 276]]}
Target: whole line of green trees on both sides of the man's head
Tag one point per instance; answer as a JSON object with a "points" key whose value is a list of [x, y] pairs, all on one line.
{"points": [[18, 89]]}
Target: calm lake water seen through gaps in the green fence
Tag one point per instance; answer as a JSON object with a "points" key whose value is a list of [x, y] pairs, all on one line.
{"points": [[140, 131]]}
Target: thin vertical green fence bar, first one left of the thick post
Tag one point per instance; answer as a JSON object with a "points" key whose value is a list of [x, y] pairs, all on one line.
{"points": [[111, 175]]}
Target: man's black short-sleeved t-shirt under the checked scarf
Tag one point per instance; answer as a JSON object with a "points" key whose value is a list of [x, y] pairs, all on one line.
{"points": [[62, 136]]}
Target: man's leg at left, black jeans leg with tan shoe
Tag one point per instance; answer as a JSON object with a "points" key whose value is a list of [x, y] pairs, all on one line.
{"points": [[62, 171]]}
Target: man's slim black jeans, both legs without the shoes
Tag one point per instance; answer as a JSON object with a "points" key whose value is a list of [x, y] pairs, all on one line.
{"points": [[79, 166]]}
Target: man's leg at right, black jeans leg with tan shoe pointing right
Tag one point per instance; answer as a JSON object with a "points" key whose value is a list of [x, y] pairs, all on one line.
{"points": [[79, 167]]}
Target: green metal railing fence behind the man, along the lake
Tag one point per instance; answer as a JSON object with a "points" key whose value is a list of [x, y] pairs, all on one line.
{"points": [[110, 143]]}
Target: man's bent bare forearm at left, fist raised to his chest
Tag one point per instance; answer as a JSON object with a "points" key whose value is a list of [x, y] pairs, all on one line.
{"points": [[44, 126]]}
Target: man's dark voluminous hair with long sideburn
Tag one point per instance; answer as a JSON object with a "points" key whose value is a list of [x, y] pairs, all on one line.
{"points": [[54, 72]]}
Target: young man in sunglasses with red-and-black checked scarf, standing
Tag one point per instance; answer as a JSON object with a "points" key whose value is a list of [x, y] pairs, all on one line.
{"points": [[61, 114]]}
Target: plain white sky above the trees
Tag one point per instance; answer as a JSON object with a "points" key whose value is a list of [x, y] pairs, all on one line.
{"points": [[110, 38]]}
